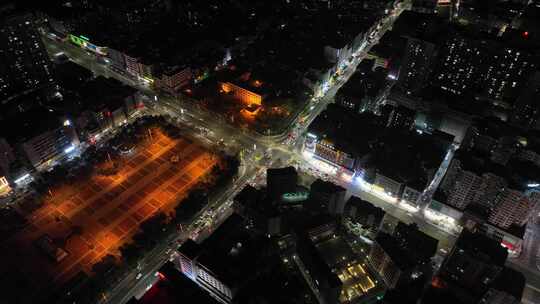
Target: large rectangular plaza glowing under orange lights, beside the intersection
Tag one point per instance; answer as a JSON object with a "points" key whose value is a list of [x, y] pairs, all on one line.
{"points": [[93, 218]]}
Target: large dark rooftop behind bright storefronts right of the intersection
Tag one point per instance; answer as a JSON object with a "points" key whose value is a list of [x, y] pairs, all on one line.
{"points": [[399, 154]]}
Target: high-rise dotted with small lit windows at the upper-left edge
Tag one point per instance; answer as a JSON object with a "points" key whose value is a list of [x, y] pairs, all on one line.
{"points": [[24, 64]]}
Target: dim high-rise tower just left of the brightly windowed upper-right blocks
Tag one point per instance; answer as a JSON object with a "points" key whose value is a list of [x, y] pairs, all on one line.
{"points": [[417, 64]]}
